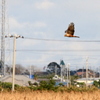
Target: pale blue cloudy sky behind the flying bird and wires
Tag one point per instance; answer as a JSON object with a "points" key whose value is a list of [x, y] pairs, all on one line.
{"points": [[48, 19]]}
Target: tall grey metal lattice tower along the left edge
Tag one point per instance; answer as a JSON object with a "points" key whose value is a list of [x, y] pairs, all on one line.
{"points": [[3, 38]]}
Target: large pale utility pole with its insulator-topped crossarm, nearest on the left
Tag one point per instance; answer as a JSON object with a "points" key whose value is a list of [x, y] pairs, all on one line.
{"points": [[15, 36]]}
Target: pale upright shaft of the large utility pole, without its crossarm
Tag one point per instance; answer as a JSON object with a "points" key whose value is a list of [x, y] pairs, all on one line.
{"points": [[14, 59]]}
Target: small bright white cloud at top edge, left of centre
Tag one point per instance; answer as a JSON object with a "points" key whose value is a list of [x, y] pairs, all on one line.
{"points": [[44, 5]]}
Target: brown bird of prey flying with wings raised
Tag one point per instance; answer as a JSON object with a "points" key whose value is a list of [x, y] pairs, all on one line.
{"points": [[70, 31]]}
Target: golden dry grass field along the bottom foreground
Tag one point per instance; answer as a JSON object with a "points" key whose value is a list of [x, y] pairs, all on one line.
{"points": [[49, 95]]}
